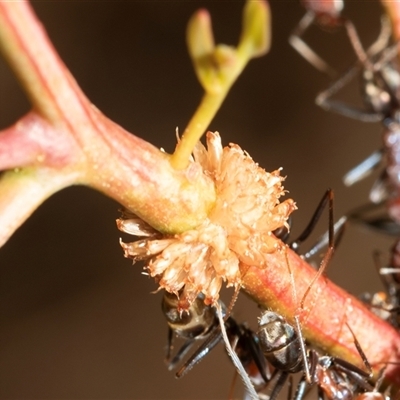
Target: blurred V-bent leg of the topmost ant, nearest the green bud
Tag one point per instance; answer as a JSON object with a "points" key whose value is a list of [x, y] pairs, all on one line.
{"points": [[304, 50]]}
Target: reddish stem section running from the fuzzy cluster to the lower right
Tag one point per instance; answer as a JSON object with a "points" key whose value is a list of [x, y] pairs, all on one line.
{"points": [[326, 310]]}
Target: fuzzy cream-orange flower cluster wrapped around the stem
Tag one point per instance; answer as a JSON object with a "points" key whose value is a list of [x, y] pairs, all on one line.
{"points": [[237, 232]]}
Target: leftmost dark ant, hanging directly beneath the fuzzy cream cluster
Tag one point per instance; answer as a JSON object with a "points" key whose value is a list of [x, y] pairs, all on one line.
{"points": [[203, 322]]}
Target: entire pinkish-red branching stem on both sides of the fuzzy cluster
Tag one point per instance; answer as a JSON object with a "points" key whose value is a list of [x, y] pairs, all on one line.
{"points": [[136, 174]]}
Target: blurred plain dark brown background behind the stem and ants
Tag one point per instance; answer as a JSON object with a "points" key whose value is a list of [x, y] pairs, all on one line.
{"points": [[77, 321]]}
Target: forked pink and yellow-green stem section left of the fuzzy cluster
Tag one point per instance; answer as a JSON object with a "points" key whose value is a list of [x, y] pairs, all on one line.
{"points": [[98, 152]]}
